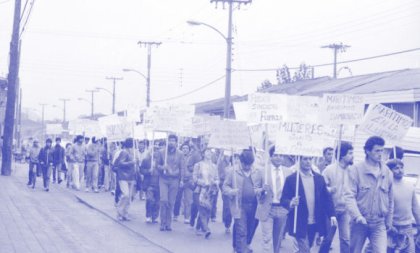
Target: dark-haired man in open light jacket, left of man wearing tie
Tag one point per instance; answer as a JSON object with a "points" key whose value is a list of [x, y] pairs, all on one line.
{"points": [[239, 187]]}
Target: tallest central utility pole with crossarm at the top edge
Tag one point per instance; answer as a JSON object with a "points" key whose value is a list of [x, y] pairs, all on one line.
{"points": [[226, 108]]}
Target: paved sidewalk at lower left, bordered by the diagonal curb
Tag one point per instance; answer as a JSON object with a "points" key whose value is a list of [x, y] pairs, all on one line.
{"points": [[35, 221]]}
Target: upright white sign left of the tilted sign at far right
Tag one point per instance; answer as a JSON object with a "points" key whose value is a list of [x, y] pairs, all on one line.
{"points": [[346, 109]]}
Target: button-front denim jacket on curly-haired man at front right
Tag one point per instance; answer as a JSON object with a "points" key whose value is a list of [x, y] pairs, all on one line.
{"points": [[369, 196]]}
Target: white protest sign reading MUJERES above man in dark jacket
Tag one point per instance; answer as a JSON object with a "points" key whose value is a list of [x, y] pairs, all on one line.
{"points": [[300, 138]]}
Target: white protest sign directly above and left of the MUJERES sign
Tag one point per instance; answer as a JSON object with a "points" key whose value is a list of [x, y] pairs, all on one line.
{"points": [[266, 107]]}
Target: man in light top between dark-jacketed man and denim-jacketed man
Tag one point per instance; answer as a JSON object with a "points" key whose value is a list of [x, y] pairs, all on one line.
{"points": [[334, 176]]}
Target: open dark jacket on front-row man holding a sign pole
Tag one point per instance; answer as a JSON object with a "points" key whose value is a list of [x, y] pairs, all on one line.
{"points": [[324, 207]]}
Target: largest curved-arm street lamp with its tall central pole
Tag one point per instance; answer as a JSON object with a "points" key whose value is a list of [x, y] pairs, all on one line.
{"points": [[228, 39]]}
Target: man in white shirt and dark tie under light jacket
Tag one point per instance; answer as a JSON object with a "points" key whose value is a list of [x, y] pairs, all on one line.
{"points": [[272, 216]]}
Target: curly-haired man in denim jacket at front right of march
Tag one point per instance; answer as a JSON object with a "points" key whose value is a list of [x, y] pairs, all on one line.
{"points": [[369, 199]]}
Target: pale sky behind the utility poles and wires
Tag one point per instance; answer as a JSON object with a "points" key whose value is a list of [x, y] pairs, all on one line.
{"points": [[69, 47]]}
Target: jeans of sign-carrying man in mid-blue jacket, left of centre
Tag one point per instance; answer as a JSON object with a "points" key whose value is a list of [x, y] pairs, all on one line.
{"points": [[168, 189]]}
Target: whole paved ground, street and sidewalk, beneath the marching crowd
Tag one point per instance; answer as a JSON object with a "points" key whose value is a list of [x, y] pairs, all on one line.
{"points": [[64, 220]]}
